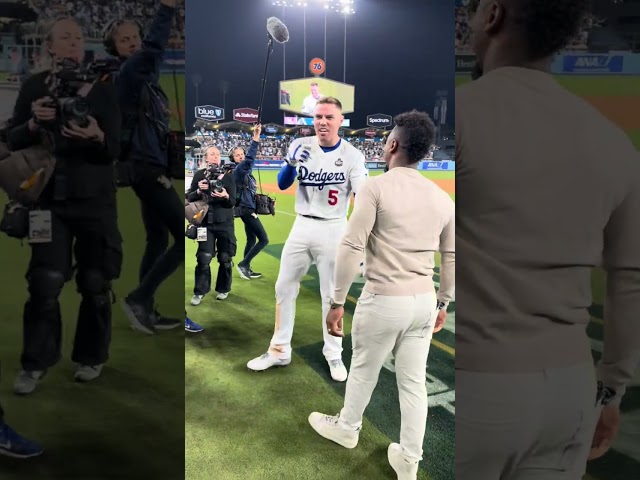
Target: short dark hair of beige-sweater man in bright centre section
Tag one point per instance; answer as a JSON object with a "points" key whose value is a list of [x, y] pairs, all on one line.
{"points": [[417, 133]]}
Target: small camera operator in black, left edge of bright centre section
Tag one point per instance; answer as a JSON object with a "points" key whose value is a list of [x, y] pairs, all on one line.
{"points": [[218, 226]]}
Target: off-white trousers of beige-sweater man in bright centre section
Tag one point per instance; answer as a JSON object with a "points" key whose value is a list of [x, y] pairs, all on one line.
{"points": [[404, 326]]}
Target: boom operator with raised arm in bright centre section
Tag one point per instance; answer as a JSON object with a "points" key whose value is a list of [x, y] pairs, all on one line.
{"points": [[246, 194]]}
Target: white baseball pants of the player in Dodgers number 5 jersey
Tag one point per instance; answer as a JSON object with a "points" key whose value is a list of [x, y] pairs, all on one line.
{"points": [[310, 242]]}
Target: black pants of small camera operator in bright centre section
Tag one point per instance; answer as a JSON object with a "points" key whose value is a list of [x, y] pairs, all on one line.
{"points": [[221, 239]]}
